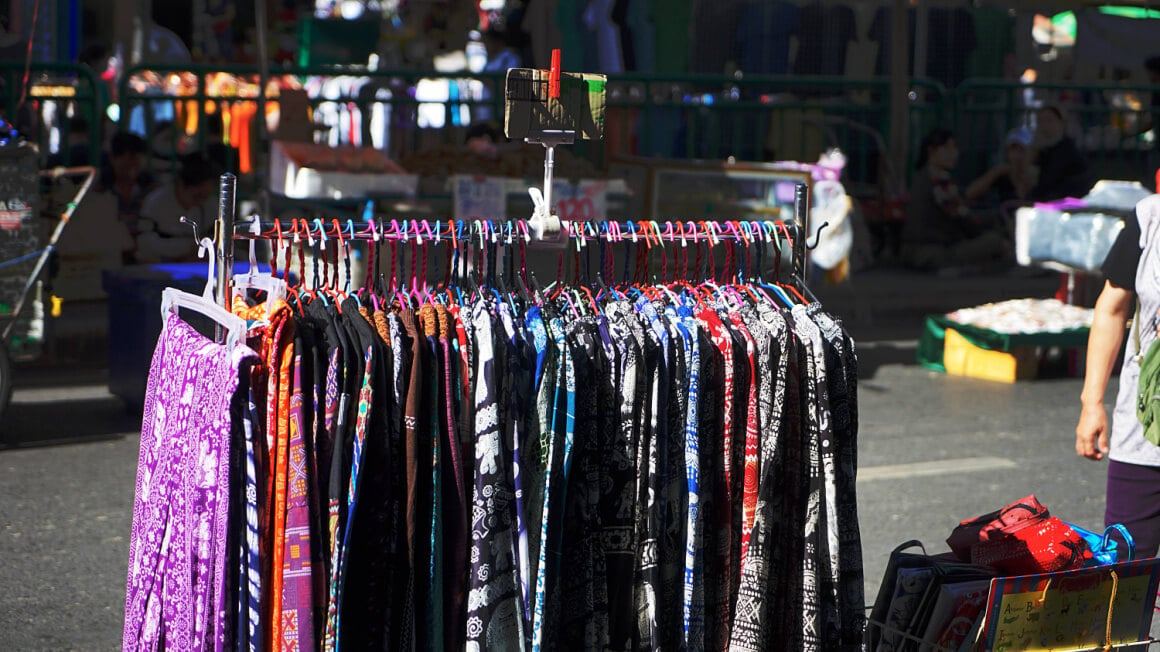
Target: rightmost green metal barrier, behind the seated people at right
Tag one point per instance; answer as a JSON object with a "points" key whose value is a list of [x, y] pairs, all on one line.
{"points": [[1104, 119]]}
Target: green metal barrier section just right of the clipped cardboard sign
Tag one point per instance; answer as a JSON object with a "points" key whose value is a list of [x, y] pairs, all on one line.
{"points": [[762, 119]]}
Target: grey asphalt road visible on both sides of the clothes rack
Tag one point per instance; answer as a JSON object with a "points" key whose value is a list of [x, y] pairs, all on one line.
{"points": [[933, 451]]}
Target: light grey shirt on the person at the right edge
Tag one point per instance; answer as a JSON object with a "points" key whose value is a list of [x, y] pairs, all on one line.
{"points": [[1128, 444]]}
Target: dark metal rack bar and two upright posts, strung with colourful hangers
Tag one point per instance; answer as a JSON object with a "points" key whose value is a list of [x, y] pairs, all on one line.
{"points": [[650, 233]]}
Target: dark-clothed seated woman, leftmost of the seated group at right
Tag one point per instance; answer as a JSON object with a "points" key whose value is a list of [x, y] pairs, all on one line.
{"points": [[940, 229]]}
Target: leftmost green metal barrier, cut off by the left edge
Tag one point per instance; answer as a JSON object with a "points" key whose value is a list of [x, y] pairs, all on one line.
{"points": [[60, 98]]}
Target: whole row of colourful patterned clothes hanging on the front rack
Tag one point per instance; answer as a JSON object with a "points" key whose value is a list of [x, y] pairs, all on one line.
{"points": [[640, 466]]}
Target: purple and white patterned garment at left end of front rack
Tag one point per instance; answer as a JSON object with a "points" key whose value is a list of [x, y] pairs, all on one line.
{"points": [[176, 591]]}
